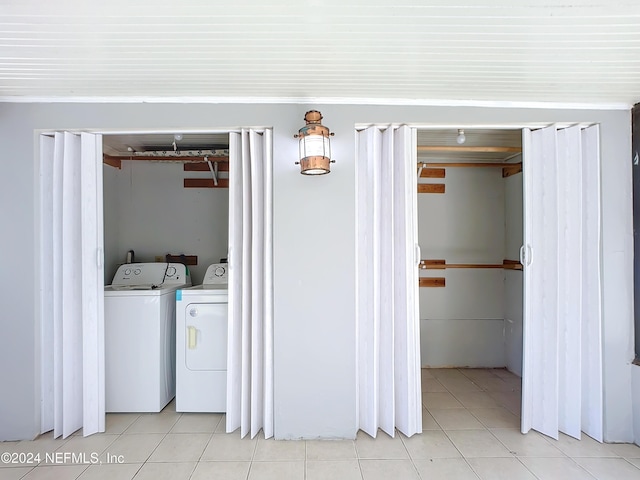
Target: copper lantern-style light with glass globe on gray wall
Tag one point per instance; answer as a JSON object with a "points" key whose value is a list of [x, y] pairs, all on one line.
{"points": [[314, 145]]}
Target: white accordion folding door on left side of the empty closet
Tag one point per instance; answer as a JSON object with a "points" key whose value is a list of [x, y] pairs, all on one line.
{"points": [[387, 282]]}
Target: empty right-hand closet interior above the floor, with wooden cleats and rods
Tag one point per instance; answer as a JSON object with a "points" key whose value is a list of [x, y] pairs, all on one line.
{"points": [[470, 230]]}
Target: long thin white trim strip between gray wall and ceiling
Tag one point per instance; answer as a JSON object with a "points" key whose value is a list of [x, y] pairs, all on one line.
{"points": [[322, 101]]}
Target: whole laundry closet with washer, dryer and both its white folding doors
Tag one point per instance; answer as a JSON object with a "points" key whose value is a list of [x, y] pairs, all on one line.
{"points": [[146, 209]]}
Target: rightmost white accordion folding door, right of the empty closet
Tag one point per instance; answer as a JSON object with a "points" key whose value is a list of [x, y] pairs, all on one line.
{"points": [[561, 384]]}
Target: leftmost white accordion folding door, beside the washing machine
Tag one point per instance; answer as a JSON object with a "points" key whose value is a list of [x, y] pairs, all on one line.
{"points": [[72, 325]]}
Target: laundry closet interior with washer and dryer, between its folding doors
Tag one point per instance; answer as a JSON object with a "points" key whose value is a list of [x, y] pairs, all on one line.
{"points": [[166, 230]]}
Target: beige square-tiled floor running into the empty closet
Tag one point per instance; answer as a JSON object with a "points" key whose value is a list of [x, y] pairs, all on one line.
{"points": [[470, 432]]}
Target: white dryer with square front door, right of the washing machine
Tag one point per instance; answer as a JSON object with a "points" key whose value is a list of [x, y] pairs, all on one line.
{"points": [[201, 343]]}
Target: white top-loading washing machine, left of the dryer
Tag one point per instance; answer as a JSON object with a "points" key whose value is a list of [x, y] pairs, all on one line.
{"points": [[139, 319]]}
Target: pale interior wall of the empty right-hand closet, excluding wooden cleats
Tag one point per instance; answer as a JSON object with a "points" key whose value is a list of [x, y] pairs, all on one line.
{"points": [[475, 320]]}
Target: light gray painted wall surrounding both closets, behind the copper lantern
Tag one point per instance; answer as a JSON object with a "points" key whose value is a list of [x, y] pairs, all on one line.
{"points": [[314, 244]]}
